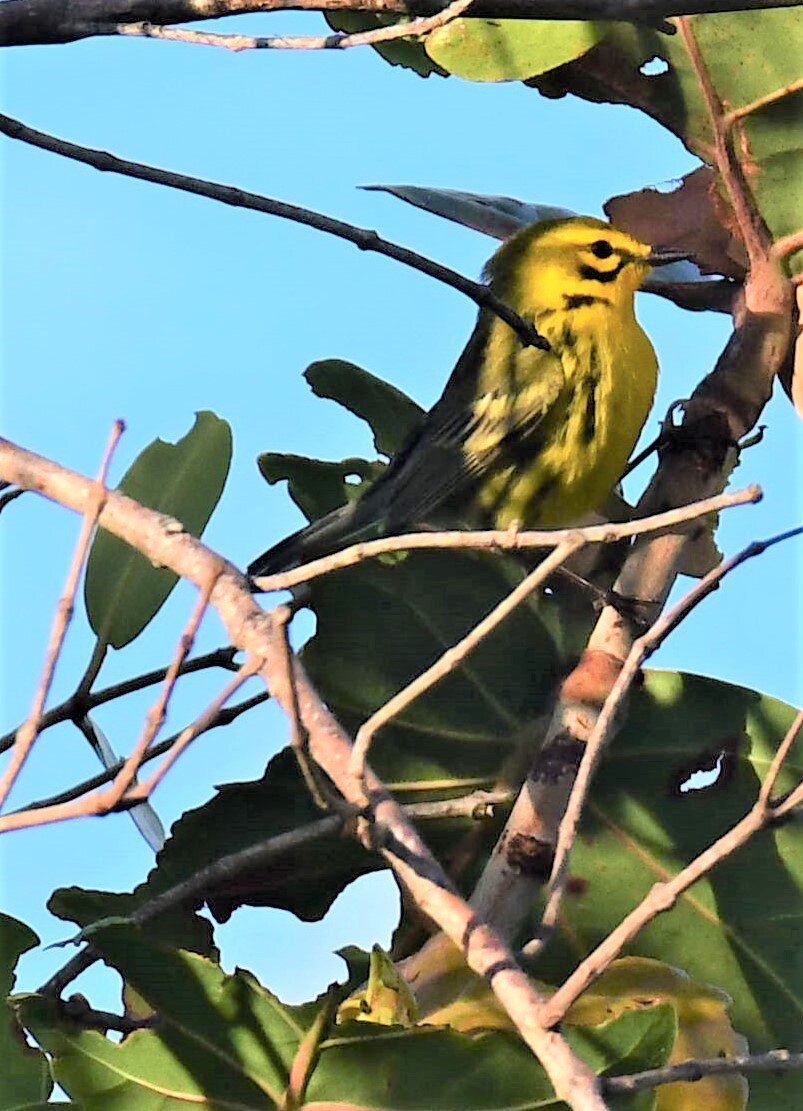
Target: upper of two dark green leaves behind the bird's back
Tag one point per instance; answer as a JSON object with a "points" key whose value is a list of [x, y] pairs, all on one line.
{"points": [[393, 415]]}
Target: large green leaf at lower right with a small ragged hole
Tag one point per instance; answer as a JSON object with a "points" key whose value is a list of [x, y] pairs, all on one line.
{"points": [[737, 929]]}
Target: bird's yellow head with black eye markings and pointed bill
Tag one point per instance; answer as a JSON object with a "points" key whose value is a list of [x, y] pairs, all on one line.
{"points": [[565, 264]]}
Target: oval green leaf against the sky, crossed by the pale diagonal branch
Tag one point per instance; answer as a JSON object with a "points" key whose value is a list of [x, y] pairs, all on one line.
{"points": [[124, 592]]}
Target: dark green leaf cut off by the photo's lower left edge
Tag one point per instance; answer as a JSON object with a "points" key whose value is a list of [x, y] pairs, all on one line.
{"points": [[25, 1078]]}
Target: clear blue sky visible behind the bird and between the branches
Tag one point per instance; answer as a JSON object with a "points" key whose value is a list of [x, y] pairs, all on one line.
{"points": [[123, 299]]}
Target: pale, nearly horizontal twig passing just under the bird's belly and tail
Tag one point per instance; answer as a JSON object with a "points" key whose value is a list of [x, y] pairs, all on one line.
{"points": [[506, 539]]}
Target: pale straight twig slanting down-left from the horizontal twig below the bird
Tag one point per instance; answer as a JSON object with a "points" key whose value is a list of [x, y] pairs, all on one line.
{"points": [[454, 657]]}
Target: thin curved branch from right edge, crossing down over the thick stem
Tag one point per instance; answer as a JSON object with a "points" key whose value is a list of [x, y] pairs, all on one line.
{"points": [[641, 652]]}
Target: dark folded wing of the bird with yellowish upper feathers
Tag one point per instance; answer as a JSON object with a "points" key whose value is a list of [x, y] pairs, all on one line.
{"points": [[463, 442]]}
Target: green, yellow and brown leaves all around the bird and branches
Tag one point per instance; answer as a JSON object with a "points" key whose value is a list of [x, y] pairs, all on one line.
{"points": [[717, 969]]}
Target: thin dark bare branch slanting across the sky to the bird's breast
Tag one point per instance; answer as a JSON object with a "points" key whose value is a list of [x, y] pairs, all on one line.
{"points": [[228, 195]]}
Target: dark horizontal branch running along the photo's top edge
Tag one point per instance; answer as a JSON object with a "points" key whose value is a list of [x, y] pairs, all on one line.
{"points": [[26, 23]]}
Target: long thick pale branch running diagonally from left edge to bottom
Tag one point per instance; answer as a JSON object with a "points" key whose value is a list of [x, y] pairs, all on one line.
{"points": [[253, 632]]}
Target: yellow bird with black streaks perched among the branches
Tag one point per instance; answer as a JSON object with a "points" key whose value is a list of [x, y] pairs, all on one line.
{"points": [[520, 436]]}
